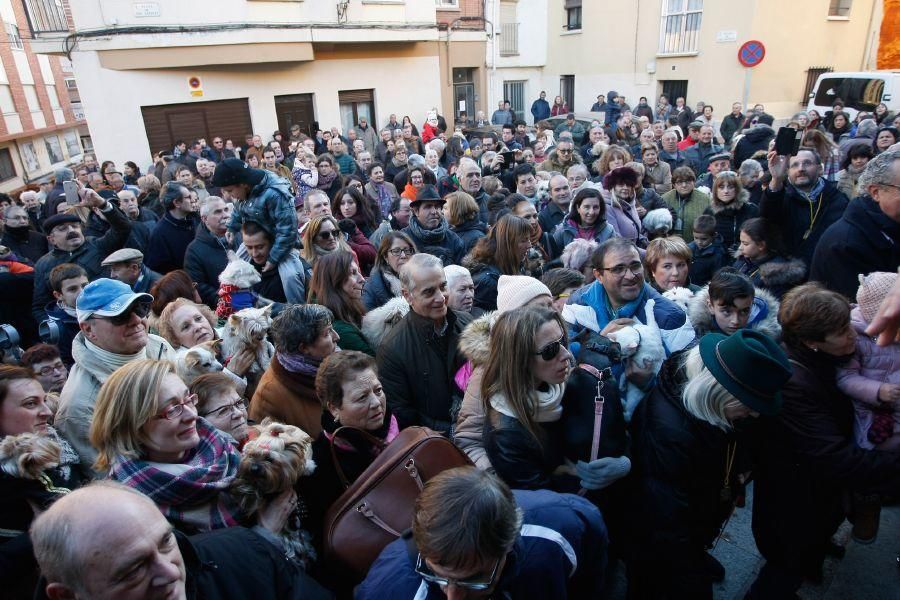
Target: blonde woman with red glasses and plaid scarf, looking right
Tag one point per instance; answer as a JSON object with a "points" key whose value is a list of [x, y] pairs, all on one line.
{"points": [[149, 437]]}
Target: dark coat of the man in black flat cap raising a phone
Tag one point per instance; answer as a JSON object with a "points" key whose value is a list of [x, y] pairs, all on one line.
{"points": [[88, 256]]}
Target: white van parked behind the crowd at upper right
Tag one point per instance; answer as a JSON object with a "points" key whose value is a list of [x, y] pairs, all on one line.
{"points": [[860, 91]]}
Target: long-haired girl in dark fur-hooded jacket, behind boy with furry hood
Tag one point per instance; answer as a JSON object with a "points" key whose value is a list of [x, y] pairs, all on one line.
{"points": [[759, 257]]}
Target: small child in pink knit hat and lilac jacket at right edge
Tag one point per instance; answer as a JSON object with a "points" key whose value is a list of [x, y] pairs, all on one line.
{"points": [[871, 378]]}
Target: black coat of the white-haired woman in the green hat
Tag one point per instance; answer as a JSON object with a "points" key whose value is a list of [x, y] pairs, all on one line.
{"points": [[679, 464]]}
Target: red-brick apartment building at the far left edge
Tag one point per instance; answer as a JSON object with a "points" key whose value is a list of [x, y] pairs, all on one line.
{"points": [[41, 126]]}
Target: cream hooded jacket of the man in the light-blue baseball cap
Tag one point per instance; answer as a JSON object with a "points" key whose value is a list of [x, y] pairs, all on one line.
{"points": [[90, 371]]}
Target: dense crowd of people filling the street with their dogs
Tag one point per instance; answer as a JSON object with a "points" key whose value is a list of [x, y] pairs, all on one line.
{"points": [[621, 326]]}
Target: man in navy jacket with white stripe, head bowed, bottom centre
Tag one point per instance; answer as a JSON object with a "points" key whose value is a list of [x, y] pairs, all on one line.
{"points": [[522, 544]]}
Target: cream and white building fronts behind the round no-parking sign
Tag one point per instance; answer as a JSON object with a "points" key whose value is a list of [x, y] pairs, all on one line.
{"points": [[581, 48]]}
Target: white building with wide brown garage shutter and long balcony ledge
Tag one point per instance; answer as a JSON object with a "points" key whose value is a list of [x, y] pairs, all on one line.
{"points": [[152, 73]]}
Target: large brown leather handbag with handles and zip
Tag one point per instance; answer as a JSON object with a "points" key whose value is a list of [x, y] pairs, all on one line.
{"points": [[379, 505]]}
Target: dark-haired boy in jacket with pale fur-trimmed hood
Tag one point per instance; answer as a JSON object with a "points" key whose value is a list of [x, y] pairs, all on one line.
{"points": [[729, 303]]}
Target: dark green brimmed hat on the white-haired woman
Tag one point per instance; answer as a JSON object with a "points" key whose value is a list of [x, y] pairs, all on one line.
{"points": [[750, 365]]}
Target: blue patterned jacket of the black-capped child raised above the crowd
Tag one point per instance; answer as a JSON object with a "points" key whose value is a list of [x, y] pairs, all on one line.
{"points": [[271, 205]]}
